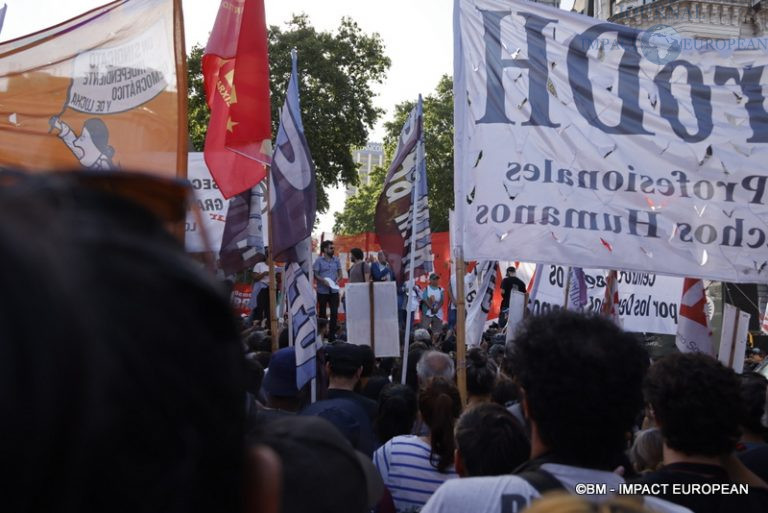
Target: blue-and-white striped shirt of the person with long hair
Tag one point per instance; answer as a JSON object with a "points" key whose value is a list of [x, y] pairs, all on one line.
{"points": [[404, 465]]}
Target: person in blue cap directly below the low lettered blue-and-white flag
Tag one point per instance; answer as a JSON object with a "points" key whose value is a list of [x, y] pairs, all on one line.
{"points": [[280, 383]]}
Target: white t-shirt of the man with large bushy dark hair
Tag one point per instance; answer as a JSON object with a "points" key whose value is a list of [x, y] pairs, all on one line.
{"points": [[506, 494]]}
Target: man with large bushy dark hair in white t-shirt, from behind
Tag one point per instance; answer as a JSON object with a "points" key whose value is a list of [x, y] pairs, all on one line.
{"points": [[580, 378]]}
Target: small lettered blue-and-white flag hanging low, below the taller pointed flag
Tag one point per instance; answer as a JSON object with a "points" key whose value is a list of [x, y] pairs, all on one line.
{"points": [[301, 303]]}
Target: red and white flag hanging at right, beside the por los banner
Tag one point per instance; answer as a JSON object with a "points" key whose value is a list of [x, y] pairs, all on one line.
{"points": [[693, 333]]}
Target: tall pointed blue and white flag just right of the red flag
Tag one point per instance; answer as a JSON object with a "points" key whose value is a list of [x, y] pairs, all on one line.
{"points": [[292, 179]]}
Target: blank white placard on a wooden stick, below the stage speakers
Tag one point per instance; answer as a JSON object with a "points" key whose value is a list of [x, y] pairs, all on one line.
{"points": [[358, 315]]}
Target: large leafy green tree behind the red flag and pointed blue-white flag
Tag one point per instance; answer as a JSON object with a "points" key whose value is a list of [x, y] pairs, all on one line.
{"points": [[337, 71]]}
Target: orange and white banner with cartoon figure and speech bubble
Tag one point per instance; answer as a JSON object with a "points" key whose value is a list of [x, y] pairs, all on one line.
{"points": [[101, 91]]}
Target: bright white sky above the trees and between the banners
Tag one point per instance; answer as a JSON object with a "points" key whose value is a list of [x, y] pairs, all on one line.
{"points": [[417, 35]]}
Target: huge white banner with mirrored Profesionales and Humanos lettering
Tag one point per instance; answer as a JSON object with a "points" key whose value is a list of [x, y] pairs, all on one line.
{"points": [[585, 143]]}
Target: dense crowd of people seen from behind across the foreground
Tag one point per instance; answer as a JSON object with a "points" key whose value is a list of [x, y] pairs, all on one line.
{"points": [[127, 384]]}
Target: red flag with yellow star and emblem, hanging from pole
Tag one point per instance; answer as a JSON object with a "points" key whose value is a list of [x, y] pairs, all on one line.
{"points": [[236, 74]]}
